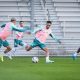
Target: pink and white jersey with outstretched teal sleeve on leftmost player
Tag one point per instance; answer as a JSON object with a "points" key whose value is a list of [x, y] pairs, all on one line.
{"points": [[8, 29]]}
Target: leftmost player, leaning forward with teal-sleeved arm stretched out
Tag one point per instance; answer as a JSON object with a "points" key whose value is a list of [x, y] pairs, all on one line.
{"points": [[6, 32]]}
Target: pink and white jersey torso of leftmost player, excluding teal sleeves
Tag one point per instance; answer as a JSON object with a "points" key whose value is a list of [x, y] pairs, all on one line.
{"points": [[6, 31]]}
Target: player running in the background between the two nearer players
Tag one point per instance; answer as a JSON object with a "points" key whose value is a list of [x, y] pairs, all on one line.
{"points": [[19, 35]]}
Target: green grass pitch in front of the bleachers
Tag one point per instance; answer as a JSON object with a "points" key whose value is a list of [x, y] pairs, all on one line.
{"points": [[21, 68]]}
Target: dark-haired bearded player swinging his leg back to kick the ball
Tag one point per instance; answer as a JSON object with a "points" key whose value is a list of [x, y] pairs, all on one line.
{"points": [[41, 35]]}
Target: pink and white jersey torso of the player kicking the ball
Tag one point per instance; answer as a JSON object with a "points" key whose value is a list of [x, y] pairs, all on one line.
{"points": [[43, 34]]}
